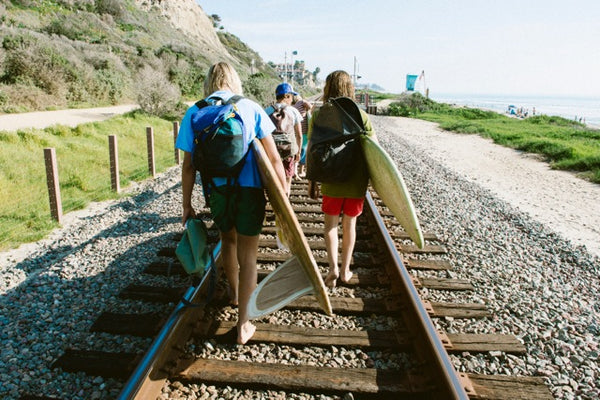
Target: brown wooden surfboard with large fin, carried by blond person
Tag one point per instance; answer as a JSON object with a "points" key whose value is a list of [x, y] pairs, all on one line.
{"points": [[297, 276]]}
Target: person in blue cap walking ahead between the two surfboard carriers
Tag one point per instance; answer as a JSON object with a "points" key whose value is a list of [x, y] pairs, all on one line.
{"points": [[288, 133]]}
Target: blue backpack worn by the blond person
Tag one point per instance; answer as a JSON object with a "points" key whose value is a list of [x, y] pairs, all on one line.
{"points": [[219, 150]]}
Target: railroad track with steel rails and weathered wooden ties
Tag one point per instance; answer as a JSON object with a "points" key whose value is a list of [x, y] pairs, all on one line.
{"points": [[381, 343]]}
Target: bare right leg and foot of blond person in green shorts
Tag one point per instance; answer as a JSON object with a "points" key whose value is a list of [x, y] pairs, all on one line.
{"points": [[247, 253]]}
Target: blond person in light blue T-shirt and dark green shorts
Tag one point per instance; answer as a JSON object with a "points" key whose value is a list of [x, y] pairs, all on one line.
{"points": [[236, 199]]}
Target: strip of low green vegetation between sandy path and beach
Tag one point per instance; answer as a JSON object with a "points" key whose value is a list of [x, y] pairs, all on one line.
{"points": [[565, 144]]}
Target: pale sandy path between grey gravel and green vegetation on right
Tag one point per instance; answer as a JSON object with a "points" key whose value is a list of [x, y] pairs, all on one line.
{"points": [[560, 200]]}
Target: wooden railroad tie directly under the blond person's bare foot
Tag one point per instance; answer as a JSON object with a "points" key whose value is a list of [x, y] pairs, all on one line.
{"points": [[224, 332]]}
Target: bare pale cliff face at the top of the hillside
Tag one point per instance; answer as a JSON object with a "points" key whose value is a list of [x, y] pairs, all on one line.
{"points": [[191, 20]]}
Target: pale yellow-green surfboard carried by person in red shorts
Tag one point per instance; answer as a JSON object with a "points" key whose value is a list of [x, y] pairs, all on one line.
{"points": [[389, 185]]}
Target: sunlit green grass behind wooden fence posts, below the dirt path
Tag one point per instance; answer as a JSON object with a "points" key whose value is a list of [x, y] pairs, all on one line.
{"points": [[83, 169]]}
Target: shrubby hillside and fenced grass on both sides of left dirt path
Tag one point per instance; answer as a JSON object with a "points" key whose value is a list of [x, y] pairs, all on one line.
{"points": [[57, 54]]}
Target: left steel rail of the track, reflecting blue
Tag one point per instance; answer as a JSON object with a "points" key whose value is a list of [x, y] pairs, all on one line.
{"points": [[144, 378]]}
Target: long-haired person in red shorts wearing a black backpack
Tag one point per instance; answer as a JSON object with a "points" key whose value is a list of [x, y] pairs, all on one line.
{"points": [[345, 198]]}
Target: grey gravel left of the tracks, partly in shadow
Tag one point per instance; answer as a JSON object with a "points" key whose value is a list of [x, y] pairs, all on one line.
{"points": [[68, 286]]}
